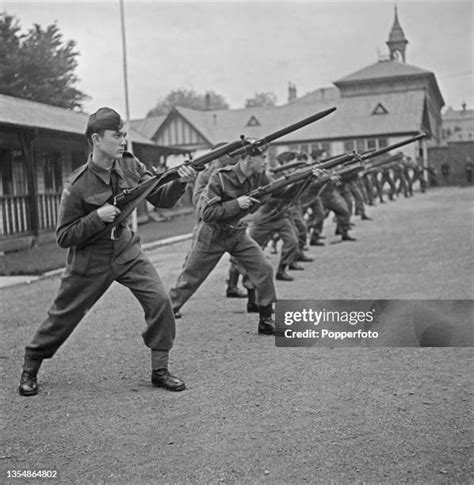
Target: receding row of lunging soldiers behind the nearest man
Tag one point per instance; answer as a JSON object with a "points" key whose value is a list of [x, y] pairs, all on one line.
{"points": [[230, 221]]}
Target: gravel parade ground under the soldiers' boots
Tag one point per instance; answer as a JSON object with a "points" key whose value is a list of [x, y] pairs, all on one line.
{"points": [[254, 412]]}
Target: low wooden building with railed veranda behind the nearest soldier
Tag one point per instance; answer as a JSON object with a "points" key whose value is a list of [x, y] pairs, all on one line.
{"points": [[40, 146]]}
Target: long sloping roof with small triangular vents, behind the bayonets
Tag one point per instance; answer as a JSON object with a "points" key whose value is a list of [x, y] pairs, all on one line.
{"points": [[353, 118]]}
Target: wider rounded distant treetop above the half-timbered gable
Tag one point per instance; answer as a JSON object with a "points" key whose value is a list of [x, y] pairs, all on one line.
{"points": [[188, 98]]}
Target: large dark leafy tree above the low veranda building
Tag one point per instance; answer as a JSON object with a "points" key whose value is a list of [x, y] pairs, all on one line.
{"points": [[38, 65]]}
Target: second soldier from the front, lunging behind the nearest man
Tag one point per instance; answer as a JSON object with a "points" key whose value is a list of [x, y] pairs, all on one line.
{"points": [[222, 206]]}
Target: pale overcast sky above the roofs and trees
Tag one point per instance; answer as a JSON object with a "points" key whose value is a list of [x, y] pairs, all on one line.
{"points": [[237, 49]]}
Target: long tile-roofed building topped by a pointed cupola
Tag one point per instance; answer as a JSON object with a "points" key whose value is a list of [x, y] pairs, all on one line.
{"points": [[377, 105]]}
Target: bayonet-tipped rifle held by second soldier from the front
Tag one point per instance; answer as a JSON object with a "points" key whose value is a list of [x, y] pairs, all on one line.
{"points": [[357, 164]]}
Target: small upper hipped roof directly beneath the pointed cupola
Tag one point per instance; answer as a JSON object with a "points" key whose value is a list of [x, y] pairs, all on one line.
{"points": [[385, 69]]}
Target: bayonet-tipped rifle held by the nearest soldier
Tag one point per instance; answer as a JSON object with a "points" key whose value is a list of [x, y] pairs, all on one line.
{"points": [[129, 199]]}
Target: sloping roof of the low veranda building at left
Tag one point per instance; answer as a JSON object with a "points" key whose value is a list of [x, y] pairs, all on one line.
{"points": [[23, 112]]}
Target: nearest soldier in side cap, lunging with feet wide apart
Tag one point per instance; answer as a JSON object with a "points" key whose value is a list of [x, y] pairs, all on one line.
{"points": [[95, 263]]}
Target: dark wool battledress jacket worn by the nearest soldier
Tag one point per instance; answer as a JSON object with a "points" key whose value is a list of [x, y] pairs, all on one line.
{"points": [[89, 188]]}
